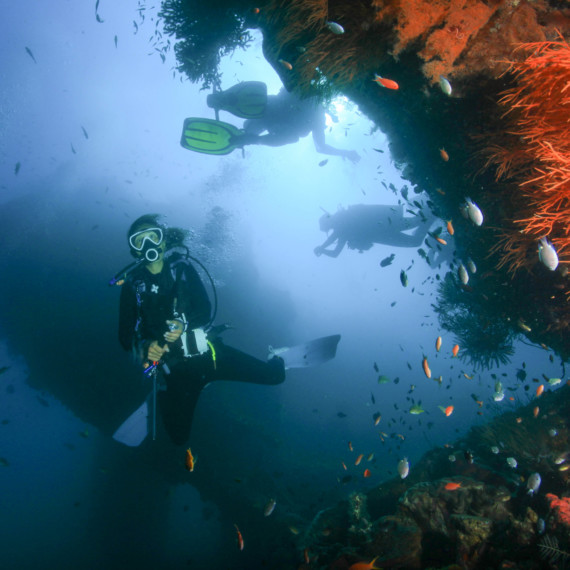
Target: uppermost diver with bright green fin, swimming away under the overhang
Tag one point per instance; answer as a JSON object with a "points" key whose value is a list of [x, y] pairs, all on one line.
{"points": [[270, 120]]}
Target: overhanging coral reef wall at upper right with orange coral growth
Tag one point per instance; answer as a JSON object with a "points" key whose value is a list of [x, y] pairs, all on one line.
{"points": [[497, 152]]}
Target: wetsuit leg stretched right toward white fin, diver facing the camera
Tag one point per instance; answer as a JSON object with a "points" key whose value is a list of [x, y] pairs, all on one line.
{"points": [[232, 364]]}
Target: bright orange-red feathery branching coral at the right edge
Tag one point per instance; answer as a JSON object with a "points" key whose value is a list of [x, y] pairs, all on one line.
{"points": [[537, 152]]}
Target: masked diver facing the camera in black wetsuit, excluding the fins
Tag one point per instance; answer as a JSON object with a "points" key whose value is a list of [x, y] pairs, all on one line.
{"points": [[164, 309]]}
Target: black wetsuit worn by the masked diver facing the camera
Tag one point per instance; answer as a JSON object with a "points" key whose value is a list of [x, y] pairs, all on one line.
{"points": [[175, 292]]}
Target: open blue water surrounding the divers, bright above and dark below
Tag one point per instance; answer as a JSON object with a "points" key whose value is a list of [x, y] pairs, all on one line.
{"points": [[70, 496]]}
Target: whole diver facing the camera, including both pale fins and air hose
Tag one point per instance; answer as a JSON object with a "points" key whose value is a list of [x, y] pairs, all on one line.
{"points": [[166, 320]]}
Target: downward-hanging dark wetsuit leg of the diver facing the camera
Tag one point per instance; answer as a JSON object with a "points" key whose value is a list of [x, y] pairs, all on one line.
{"points": [[178, 401]]}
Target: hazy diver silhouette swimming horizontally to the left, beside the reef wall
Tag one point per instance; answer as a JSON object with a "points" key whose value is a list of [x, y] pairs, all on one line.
{"points": [[361, 226]]}
